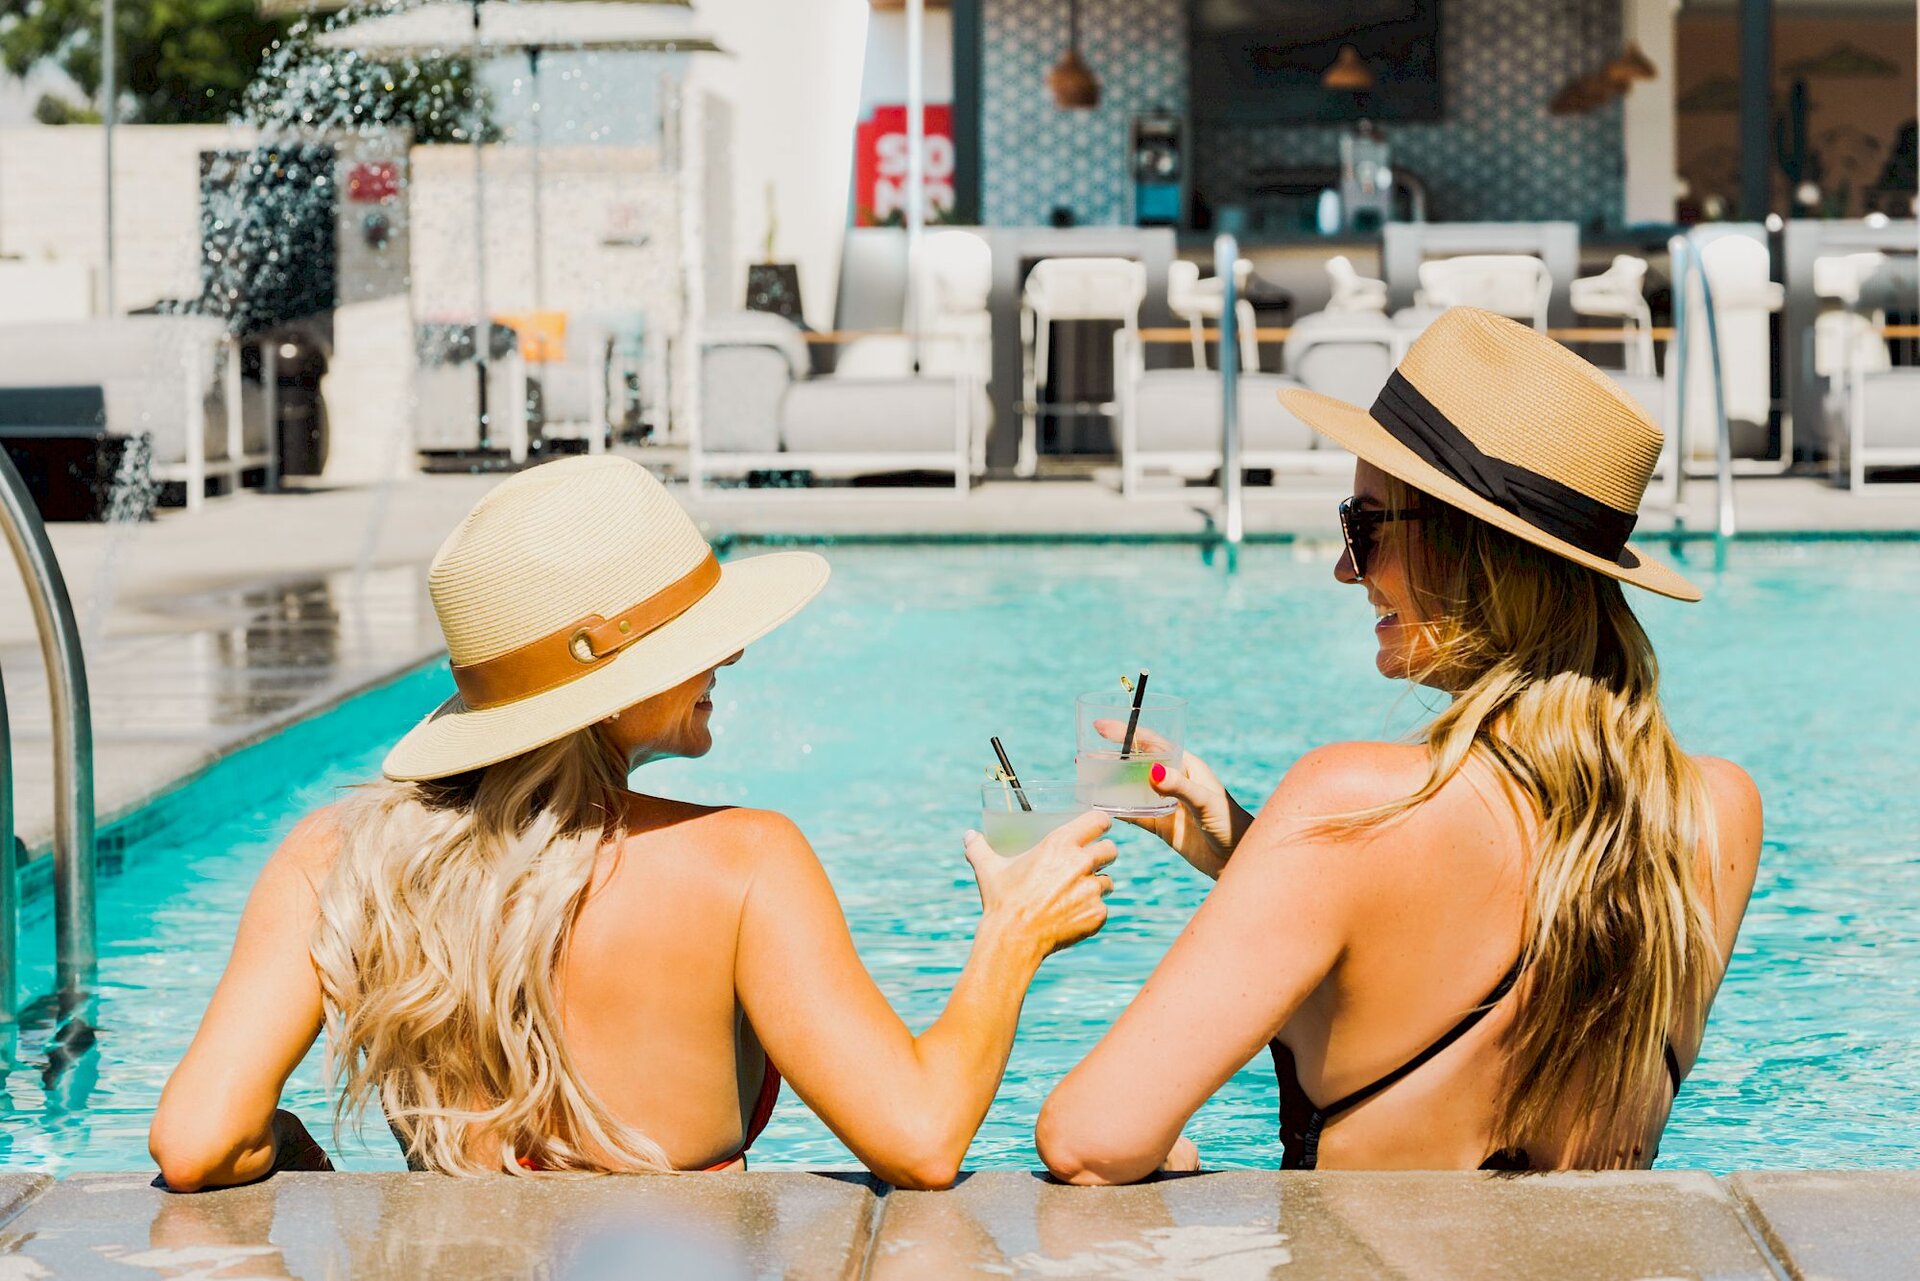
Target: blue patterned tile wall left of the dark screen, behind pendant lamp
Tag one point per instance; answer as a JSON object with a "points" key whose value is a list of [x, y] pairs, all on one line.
{"points": [[1036, 157]]}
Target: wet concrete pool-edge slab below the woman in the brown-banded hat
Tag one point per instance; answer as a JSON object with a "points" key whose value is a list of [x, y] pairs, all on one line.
{"points": [[809, 1228]]}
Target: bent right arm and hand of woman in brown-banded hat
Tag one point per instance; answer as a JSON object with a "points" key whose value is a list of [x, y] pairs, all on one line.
{"points": [[905, 1105]]}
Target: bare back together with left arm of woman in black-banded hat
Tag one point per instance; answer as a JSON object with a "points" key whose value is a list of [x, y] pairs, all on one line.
{"points": [[1356, 952]]}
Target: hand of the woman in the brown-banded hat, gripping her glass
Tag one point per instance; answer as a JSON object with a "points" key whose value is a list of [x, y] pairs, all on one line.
{"points": [[1055, 894]]}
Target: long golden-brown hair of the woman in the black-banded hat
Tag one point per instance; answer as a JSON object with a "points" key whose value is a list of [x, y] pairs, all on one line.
{"points": [[1558, 690]]}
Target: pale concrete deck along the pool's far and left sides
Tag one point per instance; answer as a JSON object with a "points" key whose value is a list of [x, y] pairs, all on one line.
{"points": [[210, 631]]}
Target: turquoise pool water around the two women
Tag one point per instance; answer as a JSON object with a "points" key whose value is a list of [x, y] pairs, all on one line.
{"points": [[869, 723]]}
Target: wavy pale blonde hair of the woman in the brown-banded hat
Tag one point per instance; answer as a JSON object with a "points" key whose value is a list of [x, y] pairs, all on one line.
{"points": [[441, 931]]}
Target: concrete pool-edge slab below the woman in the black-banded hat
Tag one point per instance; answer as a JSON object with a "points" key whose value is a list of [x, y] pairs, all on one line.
{"points": [[1305, 1226]]}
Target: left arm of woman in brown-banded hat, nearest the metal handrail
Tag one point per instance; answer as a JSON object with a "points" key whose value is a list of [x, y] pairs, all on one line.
{"points": [[216, 1121]]}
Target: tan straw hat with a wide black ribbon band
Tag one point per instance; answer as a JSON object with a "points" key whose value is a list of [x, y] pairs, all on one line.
{"points": [[1514, 429]]}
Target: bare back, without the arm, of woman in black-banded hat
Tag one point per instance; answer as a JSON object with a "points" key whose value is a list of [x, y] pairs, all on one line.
{"points": [[1443, 925]]}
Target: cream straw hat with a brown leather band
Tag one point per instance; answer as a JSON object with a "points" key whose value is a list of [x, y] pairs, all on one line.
{"points": [[573, 592]]}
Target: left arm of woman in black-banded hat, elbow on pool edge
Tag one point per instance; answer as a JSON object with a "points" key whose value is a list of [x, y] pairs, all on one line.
{"points": [[1257, 950]]}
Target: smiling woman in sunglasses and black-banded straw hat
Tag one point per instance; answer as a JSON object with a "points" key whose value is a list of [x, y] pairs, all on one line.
{"points": [[1493, 948]]}
